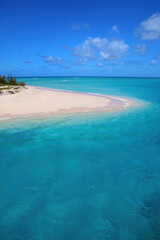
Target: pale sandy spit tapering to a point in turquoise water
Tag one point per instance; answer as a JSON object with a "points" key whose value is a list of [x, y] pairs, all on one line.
{"points": [[40, 101]]}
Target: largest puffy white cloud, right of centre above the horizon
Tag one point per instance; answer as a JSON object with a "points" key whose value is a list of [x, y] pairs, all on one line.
{"points": [[99, 48]]}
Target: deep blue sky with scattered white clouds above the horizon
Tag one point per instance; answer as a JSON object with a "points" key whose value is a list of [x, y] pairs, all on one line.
{"points": [[80, 38]]}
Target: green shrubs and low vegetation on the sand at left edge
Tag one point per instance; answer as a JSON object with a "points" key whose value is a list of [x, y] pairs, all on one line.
{"points": [[9, 85]]}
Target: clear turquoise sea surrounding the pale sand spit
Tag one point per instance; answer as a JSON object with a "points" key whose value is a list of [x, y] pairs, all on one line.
{"points": [[84, 177]]}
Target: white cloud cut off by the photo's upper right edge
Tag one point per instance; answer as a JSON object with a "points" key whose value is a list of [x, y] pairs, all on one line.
{"points": [[150, 28]]}
